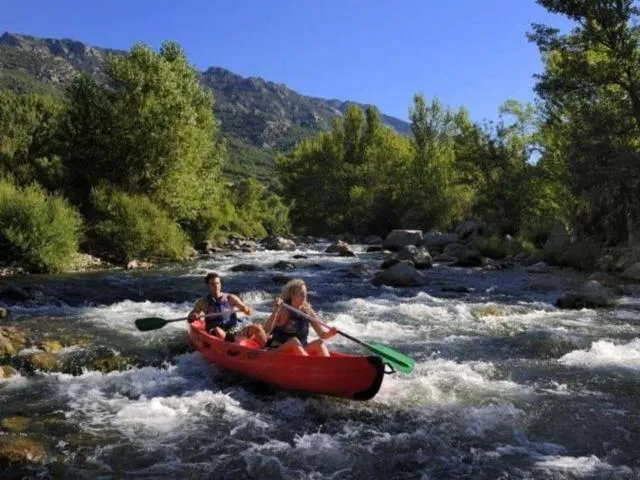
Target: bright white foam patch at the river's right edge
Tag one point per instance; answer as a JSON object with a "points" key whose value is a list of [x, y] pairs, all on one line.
{"points": [[605, 353]]}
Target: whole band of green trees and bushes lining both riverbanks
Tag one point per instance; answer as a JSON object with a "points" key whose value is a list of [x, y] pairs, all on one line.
{"points": [[129, 163]]}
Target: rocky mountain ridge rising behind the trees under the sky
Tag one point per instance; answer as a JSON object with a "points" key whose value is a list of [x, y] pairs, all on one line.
{"points": [[260, 118]]}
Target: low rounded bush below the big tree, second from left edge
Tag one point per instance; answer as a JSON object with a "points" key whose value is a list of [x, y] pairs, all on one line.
{"points": [[132, 226]]}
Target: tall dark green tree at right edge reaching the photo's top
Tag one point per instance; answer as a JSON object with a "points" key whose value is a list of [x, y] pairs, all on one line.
{"points": [[591, 93]]}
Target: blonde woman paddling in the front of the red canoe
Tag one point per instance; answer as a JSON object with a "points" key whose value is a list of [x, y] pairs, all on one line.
{"points": [[289, 330]]}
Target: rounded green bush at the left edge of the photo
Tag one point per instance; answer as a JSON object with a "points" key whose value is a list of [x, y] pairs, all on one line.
{"points": [[40, 231]]}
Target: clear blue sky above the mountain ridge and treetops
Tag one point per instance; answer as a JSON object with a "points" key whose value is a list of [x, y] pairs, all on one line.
{"points": [[464, 52]]}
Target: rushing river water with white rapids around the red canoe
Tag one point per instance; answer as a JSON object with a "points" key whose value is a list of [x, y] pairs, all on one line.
{"points": [[505, 384]]}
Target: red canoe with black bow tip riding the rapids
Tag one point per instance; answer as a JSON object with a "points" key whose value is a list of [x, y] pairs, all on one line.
{"points": [[357, 377]]}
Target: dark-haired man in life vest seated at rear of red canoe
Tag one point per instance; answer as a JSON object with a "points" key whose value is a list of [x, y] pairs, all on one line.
{"points": [[227, 325]]}
